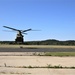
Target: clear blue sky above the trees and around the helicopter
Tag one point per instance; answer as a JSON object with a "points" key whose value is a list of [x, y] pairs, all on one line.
{"points": [[54, 18]]}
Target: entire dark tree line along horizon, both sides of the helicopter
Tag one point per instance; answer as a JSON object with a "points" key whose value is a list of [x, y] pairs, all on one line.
{"points": [[44, 42]]}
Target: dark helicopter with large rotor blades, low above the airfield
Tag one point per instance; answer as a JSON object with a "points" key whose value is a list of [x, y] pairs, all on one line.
{"points": [[19, 37]]}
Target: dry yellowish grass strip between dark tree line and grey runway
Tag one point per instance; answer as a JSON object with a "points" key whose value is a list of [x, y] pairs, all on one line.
{"points": [[35, 46]]}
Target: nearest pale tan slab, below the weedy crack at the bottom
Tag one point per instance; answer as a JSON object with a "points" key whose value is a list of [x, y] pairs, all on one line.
{"points": [[36, 71]]}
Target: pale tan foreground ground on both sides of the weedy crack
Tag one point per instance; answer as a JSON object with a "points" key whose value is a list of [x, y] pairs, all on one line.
{"points": [[12, 65]]}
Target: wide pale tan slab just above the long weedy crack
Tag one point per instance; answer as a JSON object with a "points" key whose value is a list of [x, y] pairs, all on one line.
{"points": [[36, 61]]}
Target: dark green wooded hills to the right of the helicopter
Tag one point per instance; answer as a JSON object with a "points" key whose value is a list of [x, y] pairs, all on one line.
{"points": [[50, 42]]}
